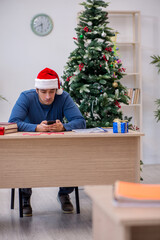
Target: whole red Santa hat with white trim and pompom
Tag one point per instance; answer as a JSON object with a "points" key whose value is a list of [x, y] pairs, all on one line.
{"points": [[48, 79]]}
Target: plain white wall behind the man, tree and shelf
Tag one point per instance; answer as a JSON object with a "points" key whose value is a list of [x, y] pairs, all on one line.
{"points": [[23, 54]]}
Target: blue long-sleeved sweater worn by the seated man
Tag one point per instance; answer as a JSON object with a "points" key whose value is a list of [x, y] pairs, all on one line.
{"points": [[28, 111]]}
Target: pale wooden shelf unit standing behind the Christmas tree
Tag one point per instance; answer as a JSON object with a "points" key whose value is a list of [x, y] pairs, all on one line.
{"points": [[128, 26]]}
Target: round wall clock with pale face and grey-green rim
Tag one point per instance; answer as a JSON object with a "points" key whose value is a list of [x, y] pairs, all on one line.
{"points": [[42, 24]]}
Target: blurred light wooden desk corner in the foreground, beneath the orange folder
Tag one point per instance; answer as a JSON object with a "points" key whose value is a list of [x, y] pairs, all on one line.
{"points": [[119, 223]]}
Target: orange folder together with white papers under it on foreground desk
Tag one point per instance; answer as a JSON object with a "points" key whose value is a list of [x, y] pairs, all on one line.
{"points": [[127, 194]]}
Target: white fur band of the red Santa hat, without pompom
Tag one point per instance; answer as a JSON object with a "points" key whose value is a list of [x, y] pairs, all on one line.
{"points": [[46, 83]]}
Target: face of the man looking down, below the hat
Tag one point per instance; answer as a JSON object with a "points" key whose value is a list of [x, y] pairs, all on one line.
{"points": [[46, 96]]}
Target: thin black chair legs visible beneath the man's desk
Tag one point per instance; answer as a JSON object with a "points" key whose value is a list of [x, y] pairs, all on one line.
{"points": [[20, 201]]}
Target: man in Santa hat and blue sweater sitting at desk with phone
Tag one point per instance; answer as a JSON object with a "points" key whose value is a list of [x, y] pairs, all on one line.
{"points": [[32, 111]]}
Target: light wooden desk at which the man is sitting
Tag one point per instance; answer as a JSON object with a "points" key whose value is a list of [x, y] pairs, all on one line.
{"points": [[69, 159]]}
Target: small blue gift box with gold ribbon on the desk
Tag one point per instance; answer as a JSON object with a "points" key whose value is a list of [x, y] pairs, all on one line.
{"points": [[120, 126]]}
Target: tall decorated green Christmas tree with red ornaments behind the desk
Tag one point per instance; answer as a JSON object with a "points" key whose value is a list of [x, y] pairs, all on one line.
{"points": [[94, 69]]}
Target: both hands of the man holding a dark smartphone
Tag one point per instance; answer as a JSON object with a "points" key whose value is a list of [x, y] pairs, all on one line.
{"points": [[55, 127]]}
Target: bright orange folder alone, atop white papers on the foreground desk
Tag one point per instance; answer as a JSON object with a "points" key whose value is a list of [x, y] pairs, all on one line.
{"points": [[127, 191]]}
